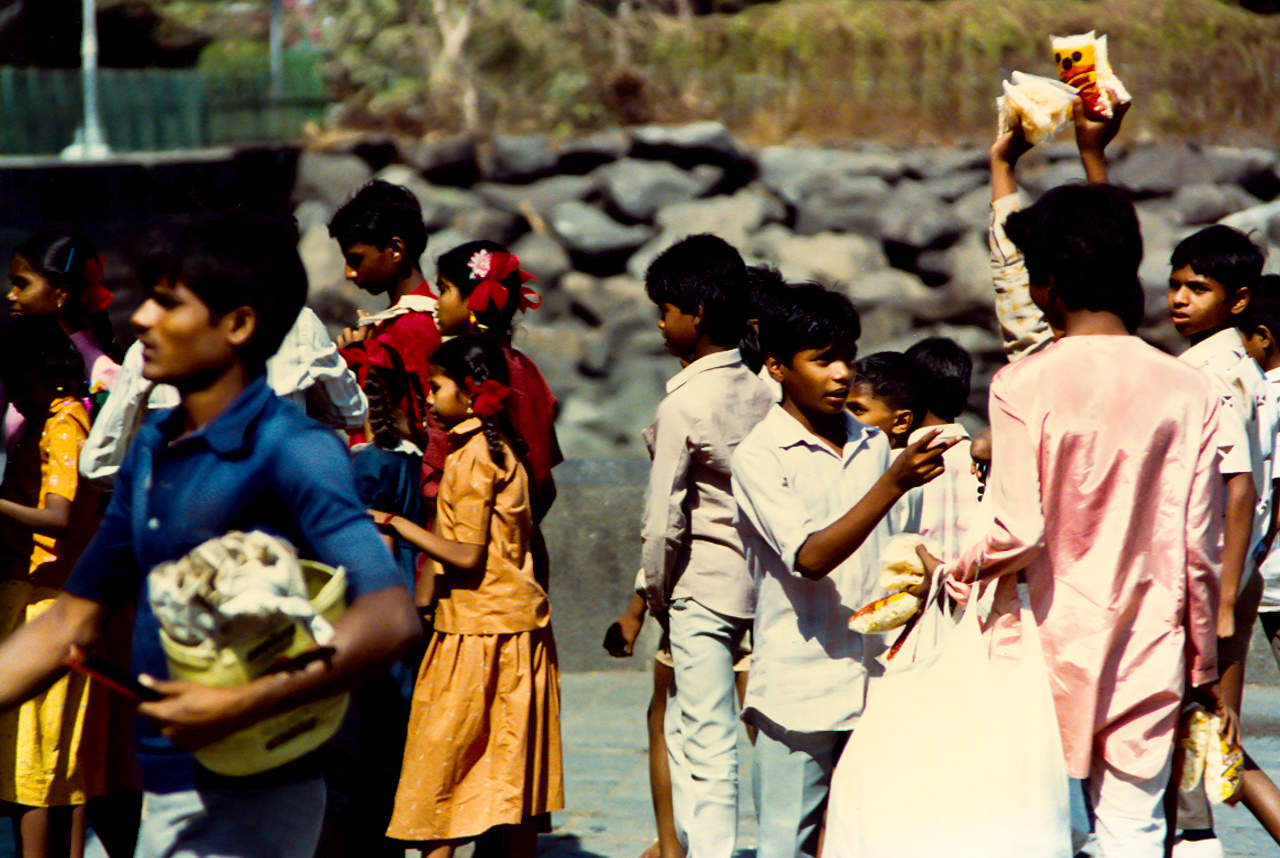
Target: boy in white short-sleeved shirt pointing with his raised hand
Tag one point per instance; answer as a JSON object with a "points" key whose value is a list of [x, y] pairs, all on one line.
{"points": [[815, 490]]}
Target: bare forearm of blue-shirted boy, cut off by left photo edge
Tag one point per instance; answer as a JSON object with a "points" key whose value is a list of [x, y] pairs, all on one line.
{"points": [[31, 659]]}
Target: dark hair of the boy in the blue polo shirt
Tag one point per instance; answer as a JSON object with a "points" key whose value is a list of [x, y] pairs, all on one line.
{"points": [[237, 259]]}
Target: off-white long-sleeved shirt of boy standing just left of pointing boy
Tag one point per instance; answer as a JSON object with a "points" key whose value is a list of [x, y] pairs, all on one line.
{"points": [[691, 544]]}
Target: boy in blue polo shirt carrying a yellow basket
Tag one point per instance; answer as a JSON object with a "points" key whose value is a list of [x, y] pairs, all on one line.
{"points": [[232, 457]]}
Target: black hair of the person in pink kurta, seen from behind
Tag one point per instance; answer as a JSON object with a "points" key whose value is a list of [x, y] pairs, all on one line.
{"points": [[1087, 239]]}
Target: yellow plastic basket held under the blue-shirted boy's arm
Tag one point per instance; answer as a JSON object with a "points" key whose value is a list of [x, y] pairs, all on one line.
{"points": [[289, 736]]}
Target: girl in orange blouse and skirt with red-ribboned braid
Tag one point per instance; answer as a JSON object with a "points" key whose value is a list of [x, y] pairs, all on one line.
{"points": [[483, 757]]}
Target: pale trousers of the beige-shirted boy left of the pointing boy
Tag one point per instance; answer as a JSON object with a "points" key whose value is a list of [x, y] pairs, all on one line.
{"points": [[702, 727]]}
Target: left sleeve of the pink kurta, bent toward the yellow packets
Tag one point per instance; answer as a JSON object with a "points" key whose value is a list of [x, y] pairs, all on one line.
{"points": [[1017, 535]]}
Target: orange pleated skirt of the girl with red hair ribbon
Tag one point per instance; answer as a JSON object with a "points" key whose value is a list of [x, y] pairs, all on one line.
{"points": [[484, 743]]}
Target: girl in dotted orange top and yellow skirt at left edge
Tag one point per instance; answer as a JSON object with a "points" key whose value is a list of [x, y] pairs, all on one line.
{"points": [[47, 518]]}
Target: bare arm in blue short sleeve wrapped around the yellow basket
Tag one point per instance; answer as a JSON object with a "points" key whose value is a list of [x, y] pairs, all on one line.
{"points": [[376, 629]]}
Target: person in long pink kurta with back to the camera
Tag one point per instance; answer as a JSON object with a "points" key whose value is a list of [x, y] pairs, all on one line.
{"points": [[1107, 496]]}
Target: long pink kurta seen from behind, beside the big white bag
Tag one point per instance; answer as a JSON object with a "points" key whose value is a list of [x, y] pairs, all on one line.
{"points": [[1105, 490]]}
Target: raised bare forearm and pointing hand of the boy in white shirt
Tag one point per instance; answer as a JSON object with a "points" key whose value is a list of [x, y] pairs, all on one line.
{"points": [[825, 550]]}
